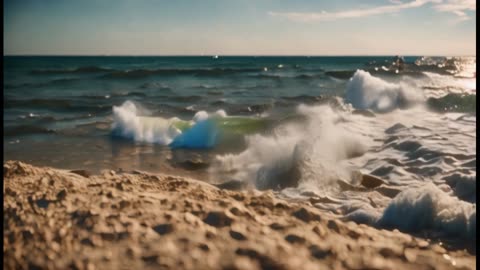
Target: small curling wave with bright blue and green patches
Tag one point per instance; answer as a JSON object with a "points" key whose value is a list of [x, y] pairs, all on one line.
{"points": [[203, 131]]}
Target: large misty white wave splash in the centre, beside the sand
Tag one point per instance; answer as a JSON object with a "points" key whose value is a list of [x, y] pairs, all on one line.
{"points": [[296, 153]]}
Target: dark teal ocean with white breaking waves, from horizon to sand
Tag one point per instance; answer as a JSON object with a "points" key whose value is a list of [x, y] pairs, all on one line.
{"points": [[306, 127]]}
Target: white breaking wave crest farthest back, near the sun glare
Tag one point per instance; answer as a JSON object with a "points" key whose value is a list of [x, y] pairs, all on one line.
{"points": [[365, 91]]}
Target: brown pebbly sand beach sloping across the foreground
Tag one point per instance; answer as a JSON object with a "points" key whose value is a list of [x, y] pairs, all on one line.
{"points": [[57, 219]]}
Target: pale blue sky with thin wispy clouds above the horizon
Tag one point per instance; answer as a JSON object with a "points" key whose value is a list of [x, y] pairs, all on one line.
{"points": [[239, 27]]}
